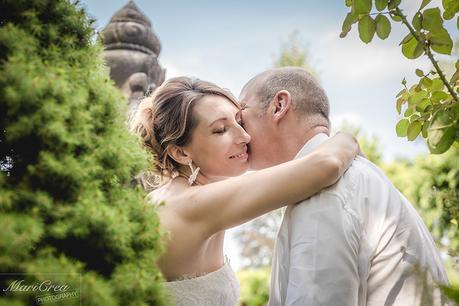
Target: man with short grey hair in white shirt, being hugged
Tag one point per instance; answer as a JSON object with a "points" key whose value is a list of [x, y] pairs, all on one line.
{"points": [[358, 242]]}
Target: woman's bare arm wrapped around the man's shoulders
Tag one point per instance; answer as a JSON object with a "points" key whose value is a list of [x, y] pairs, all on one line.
{"points": [[221, 205]]}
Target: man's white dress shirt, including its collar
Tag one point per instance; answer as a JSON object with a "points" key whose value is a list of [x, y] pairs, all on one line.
{"points": [[358, 242]]}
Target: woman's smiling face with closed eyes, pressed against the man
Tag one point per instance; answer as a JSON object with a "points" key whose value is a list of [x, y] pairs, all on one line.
{"points": [[218, 143]]}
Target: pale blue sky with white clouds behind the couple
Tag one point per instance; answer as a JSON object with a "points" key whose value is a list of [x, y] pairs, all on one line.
{"points": [[228, 42]]}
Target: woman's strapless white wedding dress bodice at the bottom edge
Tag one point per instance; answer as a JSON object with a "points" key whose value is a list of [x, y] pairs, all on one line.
{"points": [[217, 288]]}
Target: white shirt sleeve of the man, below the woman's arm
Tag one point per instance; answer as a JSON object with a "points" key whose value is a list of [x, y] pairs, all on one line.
{"points": [[324, 246]]}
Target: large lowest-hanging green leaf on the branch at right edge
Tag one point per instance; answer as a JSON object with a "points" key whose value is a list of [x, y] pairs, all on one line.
{"points": [[441, 132]]}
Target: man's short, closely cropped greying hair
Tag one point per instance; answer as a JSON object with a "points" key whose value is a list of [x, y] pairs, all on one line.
{"points": [[308, 97]]}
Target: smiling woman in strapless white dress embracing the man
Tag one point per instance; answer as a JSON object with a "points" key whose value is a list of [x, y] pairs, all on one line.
{"points": [[195, 130]]}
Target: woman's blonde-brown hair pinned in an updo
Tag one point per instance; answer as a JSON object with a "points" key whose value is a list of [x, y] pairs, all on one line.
{"points": [[166, 118]]}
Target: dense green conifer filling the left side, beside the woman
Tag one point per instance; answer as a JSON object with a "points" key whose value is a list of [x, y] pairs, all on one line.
{"points": [[67, 160]]}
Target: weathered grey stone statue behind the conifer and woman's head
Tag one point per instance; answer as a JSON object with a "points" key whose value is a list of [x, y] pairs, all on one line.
{"points": [[131, 50]]}
